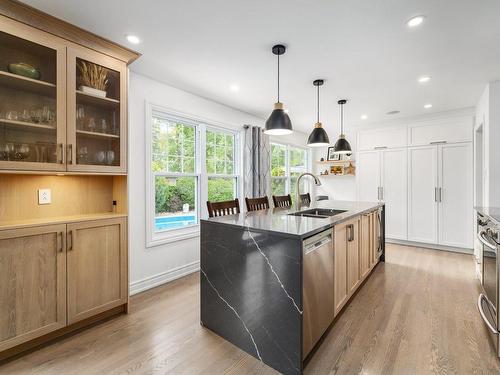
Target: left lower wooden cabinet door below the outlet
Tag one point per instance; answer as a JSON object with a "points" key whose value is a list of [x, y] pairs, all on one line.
{"points": [[32, 283]]}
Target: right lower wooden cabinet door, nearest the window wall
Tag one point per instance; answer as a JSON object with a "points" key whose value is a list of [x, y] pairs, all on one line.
{"points": [[97, 267]]}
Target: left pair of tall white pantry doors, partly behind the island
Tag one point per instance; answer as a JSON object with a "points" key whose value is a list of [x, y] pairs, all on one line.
{"points": [[382, 176]]}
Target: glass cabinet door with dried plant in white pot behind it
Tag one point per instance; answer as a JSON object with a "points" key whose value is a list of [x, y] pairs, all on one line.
{"points": [[96, 113]]}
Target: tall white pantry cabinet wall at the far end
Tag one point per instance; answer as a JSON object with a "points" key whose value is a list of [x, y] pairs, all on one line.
{"points": [[423, 172]]}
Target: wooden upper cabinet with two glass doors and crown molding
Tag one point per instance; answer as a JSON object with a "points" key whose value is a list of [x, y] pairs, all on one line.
{"points": [[62, 105]]}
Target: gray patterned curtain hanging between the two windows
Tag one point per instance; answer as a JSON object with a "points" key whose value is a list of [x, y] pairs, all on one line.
{"points": [[256, 162]]}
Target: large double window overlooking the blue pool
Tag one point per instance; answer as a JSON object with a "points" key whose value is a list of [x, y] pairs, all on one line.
{"points": [[188, 162]]}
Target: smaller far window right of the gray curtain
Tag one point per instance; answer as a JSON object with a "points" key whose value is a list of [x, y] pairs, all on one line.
{"points": [[287, 163]]}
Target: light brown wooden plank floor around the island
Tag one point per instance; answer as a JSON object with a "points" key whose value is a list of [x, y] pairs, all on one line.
{"points": [[416, 314]]}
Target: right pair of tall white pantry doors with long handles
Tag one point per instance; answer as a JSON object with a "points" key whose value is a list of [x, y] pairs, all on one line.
{"points": [[440, 195]]}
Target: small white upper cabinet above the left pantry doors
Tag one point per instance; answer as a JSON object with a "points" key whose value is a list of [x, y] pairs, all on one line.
{"points": [[382, 138]]}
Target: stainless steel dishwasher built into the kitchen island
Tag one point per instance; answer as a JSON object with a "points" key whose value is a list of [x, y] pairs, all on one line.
{"points": [[317, 287]]}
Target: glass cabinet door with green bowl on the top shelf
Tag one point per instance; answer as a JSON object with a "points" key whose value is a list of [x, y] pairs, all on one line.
{"points": [[32, 99]]}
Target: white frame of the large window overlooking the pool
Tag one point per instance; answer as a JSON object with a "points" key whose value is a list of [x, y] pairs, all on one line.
{"points": [[201, 126]]}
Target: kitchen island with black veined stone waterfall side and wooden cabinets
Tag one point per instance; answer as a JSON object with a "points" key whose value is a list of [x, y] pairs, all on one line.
{"points": [[272, 281]]}
